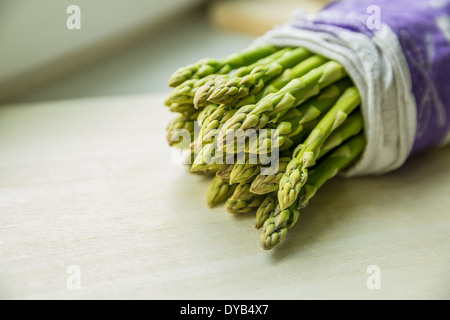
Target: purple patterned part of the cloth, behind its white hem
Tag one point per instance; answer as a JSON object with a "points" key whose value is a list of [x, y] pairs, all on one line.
{"points": [[423, 31]]}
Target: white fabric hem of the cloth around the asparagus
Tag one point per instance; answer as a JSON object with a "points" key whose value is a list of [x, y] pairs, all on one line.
{"points": [[379, 70]]}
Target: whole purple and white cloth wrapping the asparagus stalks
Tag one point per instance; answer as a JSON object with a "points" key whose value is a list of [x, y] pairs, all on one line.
{"points": [[397, 52]]}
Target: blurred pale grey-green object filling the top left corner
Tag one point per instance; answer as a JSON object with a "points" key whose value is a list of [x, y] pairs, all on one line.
{"points": [[37, 45]]}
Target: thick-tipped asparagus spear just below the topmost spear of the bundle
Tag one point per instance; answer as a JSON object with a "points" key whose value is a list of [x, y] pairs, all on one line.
{"points": [[236, 88]]}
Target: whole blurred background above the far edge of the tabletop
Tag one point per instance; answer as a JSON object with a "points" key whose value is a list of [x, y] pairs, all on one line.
{"points": [[122, 47]]}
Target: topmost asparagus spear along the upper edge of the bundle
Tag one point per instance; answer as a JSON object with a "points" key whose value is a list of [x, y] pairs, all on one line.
{"points": [[209, 66]]}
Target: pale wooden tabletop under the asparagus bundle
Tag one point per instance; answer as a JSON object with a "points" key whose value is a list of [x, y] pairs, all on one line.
{"points": [[93, 207]]}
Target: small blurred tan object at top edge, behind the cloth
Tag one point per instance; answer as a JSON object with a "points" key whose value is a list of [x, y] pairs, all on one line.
{"points": [[258, 16]]}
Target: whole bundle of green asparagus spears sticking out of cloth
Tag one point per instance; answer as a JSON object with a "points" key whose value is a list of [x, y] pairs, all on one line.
{"points": [[302, 112]]}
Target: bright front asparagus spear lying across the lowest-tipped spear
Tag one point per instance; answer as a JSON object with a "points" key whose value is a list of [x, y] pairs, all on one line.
{"points": [[297, 170]]}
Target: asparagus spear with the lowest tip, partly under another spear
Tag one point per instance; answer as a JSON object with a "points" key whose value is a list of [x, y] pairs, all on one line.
{"points": [[276, 226]]}
